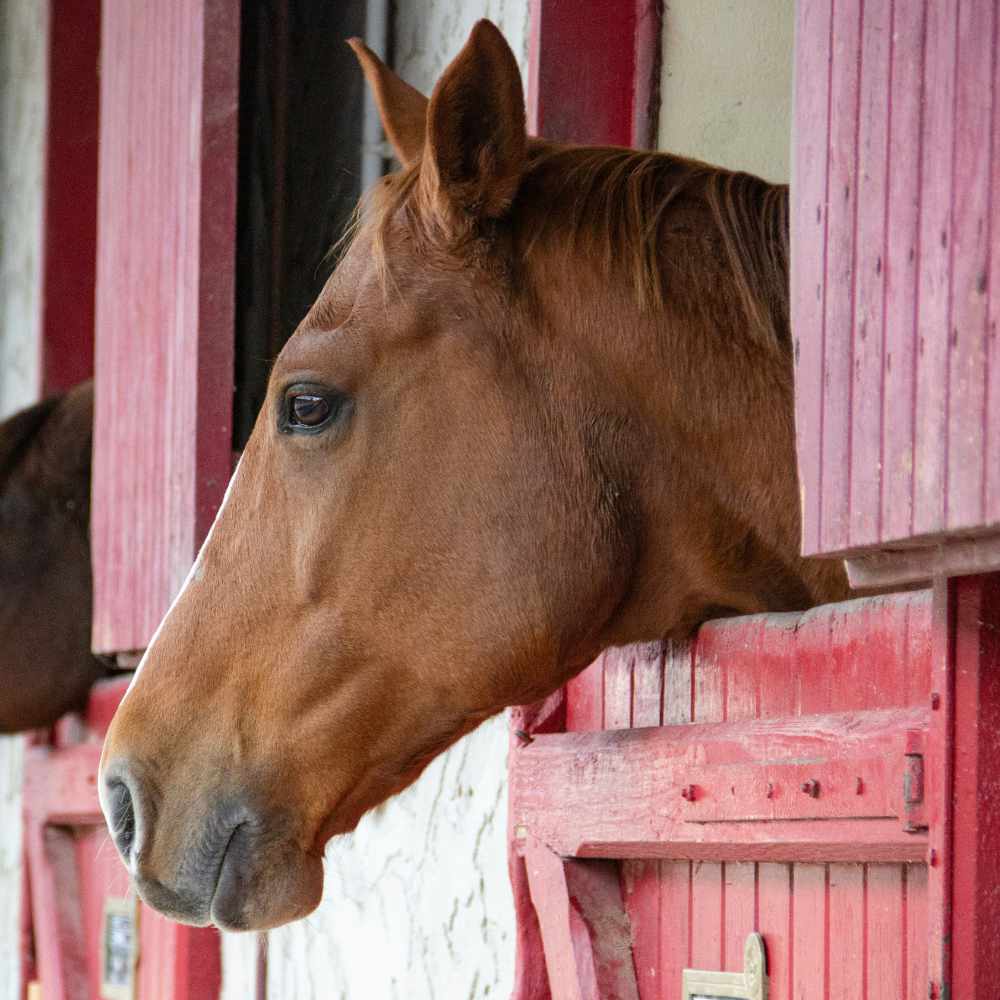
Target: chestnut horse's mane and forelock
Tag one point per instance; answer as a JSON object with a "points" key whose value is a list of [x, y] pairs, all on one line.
{"points": [[617, 205]]}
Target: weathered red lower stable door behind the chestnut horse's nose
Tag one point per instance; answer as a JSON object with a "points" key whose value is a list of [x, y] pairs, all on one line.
{"points": [[72, 870]]}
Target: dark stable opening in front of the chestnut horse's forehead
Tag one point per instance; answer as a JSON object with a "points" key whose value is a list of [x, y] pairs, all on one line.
{"points": [[301, 112]]}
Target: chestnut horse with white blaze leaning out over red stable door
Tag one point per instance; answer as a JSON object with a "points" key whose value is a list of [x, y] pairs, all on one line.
{"points": [[544, 405]]}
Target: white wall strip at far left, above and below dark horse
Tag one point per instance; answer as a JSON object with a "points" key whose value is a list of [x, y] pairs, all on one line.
{"points": [[23, 94]]}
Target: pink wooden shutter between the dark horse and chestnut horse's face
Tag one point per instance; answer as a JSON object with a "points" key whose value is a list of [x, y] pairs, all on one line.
{"points": [[166, 244]]}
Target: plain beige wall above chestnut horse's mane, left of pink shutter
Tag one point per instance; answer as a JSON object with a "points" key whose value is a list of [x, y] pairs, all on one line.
{"points": [[727, 83]]}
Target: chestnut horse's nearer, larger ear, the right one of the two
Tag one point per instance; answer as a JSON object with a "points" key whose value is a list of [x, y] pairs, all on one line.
{"points": [[476, 135]]}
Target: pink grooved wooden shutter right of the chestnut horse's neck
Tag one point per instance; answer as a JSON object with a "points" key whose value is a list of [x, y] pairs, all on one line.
{"points": [[892, 304]]}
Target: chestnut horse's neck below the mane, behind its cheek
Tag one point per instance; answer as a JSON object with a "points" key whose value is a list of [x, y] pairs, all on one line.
{"points": [[713, 410]]}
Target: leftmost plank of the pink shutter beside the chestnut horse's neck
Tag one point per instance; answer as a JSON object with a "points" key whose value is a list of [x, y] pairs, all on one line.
{"points": [[809, 216]]}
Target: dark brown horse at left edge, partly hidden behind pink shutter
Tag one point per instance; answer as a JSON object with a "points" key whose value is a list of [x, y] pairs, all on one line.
{"points": [[46, 667]]}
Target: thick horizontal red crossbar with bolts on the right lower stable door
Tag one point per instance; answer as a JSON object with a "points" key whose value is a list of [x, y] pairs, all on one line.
{"points": [[586, 794]]}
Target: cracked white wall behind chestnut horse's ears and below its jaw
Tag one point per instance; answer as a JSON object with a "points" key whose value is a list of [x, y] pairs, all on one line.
{"points": [[417, 905]]}
